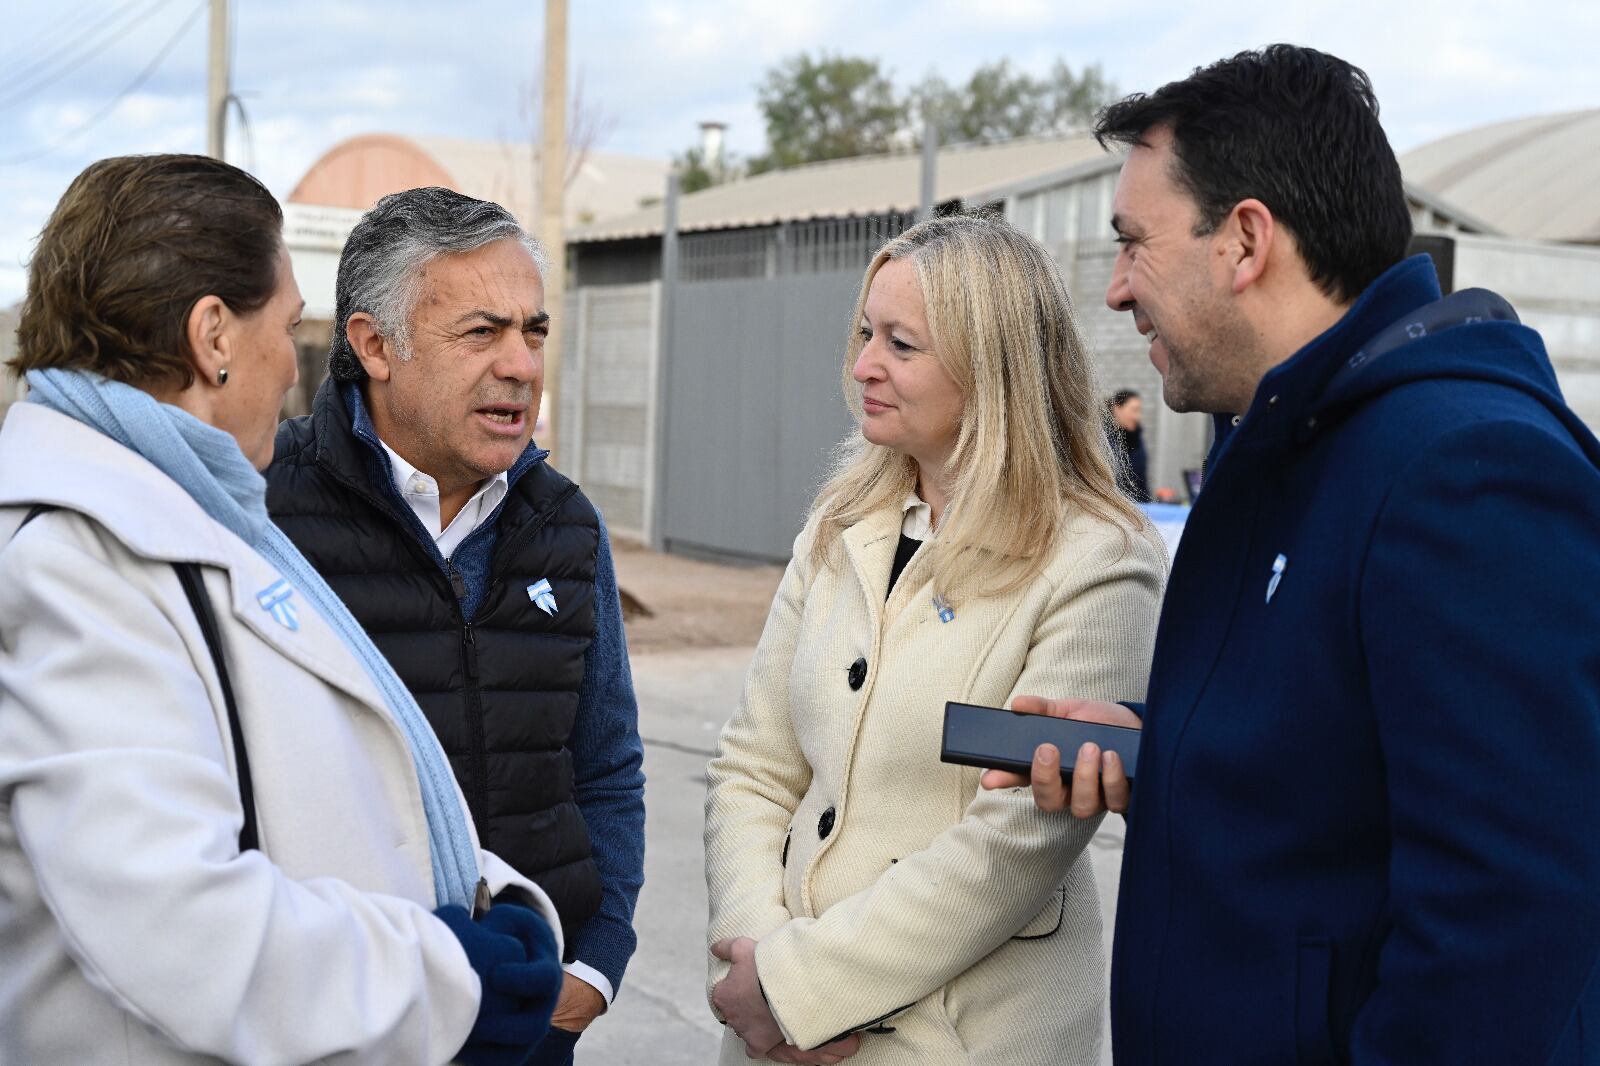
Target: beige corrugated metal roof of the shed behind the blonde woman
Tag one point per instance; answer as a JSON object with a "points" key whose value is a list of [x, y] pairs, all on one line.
{"points": [[868, 185]]}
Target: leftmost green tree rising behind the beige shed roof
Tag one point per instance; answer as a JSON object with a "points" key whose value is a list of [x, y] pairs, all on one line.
{"points": [[828, 106]]}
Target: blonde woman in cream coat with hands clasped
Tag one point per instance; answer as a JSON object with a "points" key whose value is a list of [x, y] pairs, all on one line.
{"points": [[866, 900]]}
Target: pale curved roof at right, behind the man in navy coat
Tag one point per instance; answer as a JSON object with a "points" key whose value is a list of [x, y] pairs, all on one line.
{"points": [[1537, 177]]}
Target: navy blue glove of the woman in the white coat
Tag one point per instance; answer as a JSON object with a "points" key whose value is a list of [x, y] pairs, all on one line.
{"points": [[513, 952]]}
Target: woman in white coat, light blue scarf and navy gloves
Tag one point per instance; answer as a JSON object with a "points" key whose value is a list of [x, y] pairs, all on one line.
{"points": [[154, 908]]}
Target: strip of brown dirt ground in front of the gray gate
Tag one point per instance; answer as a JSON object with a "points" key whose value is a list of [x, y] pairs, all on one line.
{"points": [[692, 604]]}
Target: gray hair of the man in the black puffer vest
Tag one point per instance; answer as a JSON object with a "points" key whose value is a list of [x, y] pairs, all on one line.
{"points": [[382, 266]]}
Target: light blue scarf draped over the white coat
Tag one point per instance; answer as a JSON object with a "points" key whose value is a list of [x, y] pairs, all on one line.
{"points": [[210, 468]]}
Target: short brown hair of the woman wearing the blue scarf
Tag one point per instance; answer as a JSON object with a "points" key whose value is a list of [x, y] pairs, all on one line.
{"points": [[132, 247]]}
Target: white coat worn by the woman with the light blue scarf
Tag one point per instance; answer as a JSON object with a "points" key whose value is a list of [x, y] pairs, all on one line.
{"points": [[132, 931]]}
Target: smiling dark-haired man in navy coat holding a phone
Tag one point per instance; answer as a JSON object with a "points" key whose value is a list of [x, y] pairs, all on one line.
{"points": [[1366, 822]]}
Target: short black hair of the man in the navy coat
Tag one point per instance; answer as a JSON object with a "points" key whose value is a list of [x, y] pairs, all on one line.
{"points": [[1298, 130]]}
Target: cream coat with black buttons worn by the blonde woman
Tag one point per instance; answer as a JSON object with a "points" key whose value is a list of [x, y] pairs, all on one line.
{"points": [[972, 908]]}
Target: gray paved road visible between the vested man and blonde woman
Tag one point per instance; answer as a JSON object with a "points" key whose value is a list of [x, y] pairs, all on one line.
{"points": [[662, 1017]]}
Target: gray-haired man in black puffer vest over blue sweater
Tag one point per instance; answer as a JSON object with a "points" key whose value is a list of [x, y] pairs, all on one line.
{"points": [[484, 575]]}
